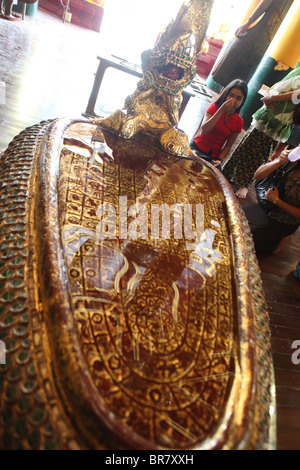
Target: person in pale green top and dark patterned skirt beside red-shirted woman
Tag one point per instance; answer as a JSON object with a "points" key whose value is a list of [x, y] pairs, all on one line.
{"points": [[268, 134]]}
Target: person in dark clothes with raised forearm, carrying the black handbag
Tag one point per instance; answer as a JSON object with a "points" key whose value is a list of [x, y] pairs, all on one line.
{"points": [[268, 229]]}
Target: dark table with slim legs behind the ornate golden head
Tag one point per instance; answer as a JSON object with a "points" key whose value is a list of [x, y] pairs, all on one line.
{"points": [[124, 66]]}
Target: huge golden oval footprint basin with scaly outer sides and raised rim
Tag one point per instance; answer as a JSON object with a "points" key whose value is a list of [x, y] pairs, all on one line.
{"points": [[135, 297]]}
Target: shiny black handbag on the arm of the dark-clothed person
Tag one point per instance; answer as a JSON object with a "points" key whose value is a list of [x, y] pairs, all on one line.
{"points": [[278, 179]]}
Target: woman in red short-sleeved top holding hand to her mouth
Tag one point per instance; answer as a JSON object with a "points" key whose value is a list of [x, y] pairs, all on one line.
{"points": [[221, 124]]}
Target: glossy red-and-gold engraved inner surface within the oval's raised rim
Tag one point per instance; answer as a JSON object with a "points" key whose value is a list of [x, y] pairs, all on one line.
{"points": [[145, 309]]}
